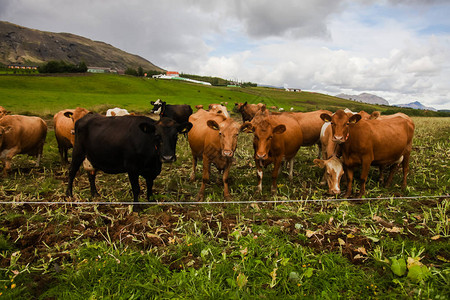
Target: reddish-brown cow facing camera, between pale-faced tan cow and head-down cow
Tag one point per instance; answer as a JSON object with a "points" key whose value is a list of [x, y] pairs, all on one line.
{"points": [[276, 138]]}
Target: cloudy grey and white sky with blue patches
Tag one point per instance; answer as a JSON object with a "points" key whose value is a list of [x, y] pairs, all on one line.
{"points": [[396, 49]]}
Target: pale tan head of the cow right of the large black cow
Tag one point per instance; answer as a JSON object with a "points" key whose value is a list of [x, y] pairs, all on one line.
{"points": [[228, 134]]}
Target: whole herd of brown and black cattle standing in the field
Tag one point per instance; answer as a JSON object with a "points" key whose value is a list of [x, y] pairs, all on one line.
{"points": [[138, 145]]}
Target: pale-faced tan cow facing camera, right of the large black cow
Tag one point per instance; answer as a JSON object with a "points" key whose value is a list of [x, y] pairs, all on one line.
{"points": [[213, 138]]}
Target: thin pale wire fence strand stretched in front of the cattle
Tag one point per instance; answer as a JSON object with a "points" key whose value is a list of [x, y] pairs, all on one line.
{"points": [[275, 201]]}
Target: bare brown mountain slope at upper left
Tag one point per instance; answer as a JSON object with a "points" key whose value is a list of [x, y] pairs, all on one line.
{"points": [[21, 45]]}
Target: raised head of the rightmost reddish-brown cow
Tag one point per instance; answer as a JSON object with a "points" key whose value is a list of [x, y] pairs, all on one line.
{"points": [[340, 123]]}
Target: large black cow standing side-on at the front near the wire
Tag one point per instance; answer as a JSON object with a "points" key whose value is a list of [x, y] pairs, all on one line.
{"points": [[136, 145]]}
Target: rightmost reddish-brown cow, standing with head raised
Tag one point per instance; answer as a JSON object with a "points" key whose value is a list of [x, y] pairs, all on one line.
{"points": [[377, 142]]}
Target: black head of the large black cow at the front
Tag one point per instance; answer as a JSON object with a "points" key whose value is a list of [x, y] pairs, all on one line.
{"points": [[166, 131]]}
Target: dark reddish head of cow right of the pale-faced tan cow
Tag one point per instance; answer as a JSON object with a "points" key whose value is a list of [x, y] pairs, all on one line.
{"points": [[263, 133]]}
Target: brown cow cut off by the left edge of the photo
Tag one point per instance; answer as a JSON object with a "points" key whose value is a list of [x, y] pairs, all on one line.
{"points": [[21, 135]]}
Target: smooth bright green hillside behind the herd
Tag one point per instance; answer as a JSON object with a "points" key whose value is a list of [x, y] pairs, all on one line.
{"points": [[46, 95]]}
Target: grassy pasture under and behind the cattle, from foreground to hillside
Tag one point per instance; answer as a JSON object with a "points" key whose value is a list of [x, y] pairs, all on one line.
{"points": [[394, 248]]}
